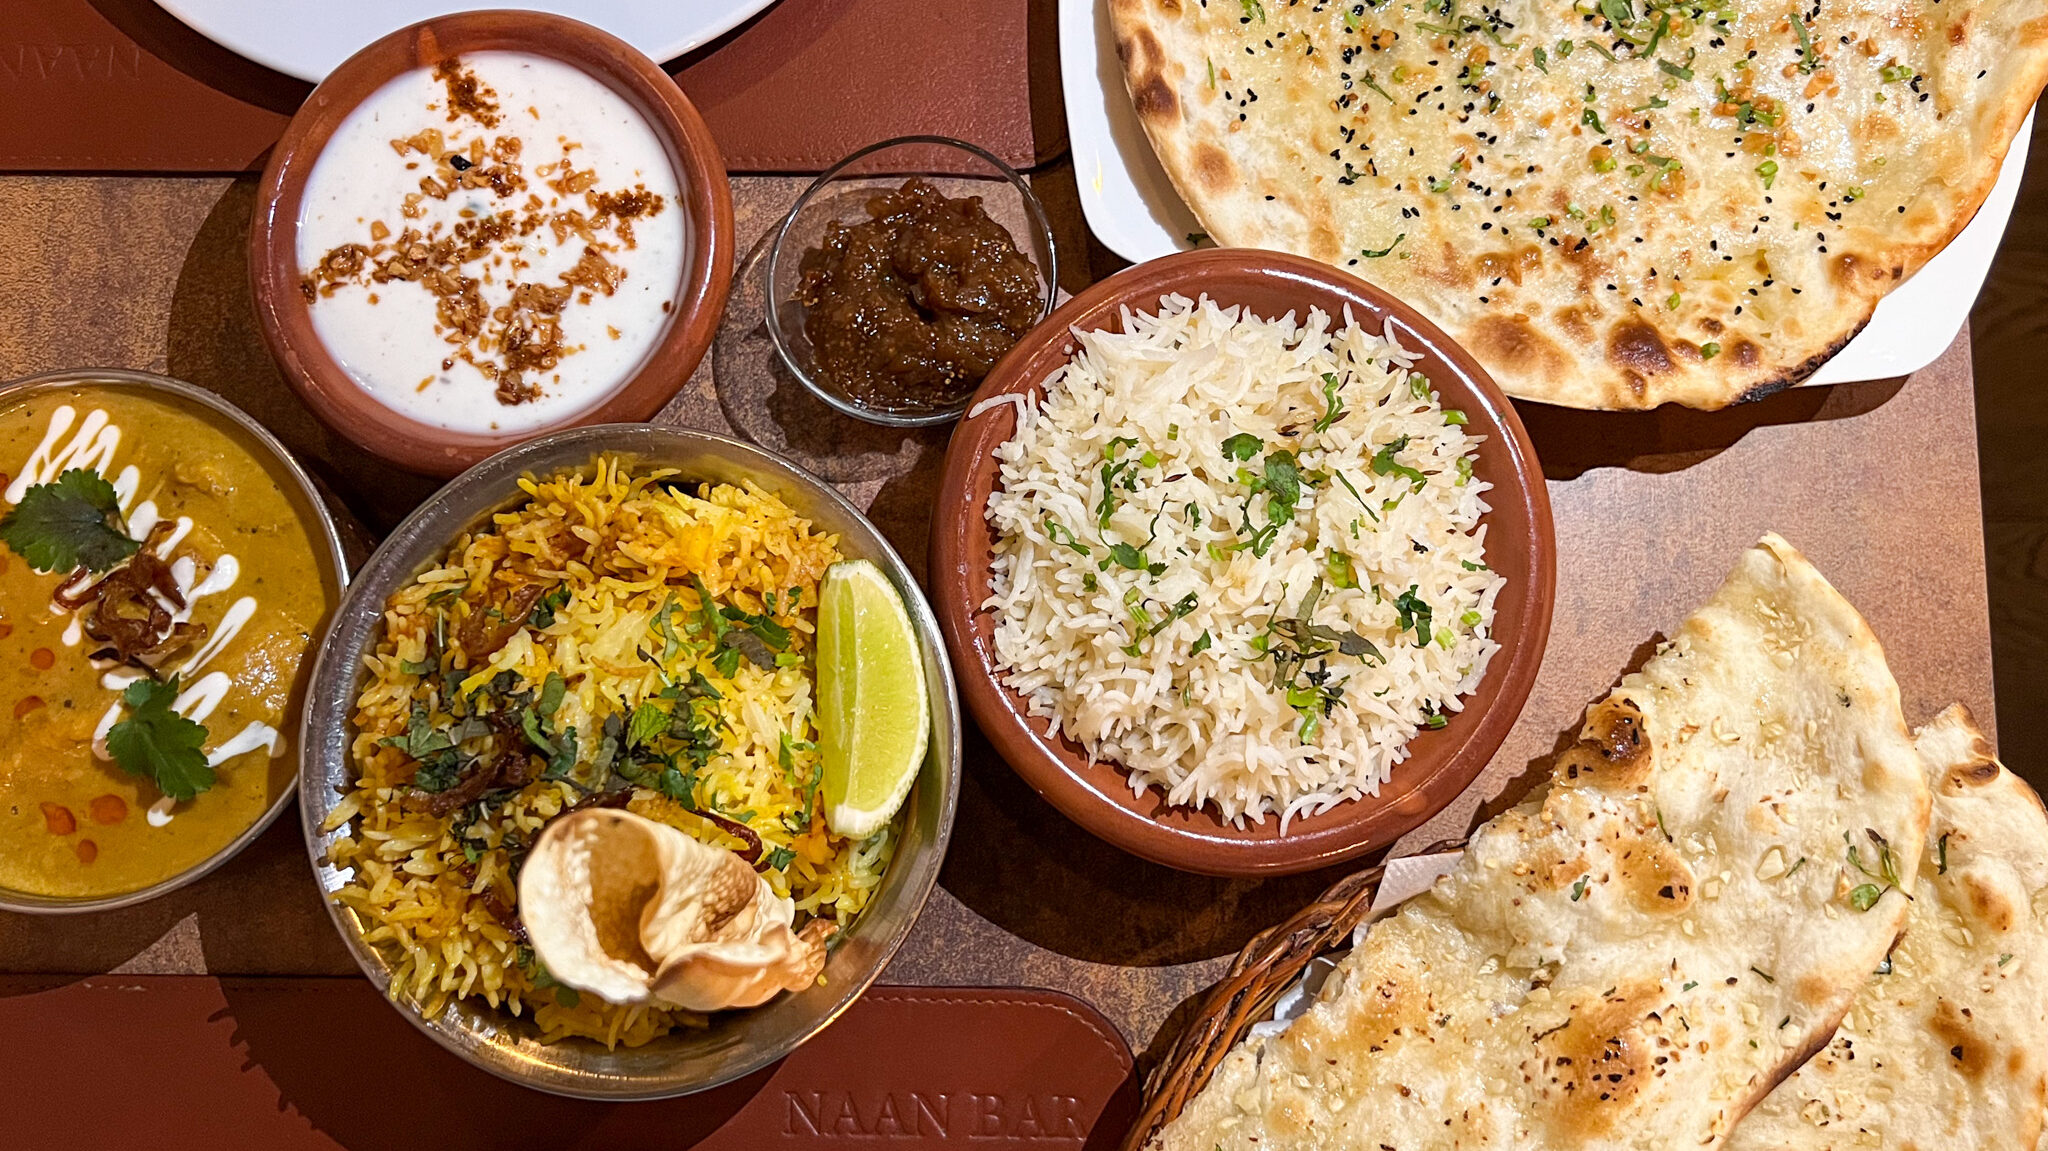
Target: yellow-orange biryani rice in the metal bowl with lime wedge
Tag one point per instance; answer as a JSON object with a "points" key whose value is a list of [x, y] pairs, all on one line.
{"points": [[435, 894]]}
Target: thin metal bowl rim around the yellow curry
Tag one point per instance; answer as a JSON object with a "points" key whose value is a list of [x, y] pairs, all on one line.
{"points": [[298, 488]]}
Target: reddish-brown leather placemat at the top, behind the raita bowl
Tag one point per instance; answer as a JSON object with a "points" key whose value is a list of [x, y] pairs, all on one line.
{"points": [[124, 87]]}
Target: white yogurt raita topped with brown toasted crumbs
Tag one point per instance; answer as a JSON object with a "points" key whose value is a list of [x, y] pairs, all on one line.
{"points": [[493, 245]]}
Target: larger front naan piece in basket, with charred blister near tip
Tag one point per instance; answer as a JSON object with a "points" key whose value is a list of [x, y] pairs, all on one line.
{"points": [[1627, 960]]}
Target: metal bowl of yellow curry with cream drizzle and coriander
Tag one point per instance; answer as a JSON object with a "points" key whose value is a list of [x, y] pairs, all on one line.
{"points": [[165, 568]]}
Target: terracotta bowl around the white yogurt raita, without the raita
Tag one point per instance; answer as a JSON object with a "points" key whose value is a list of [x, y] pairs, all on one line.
{"points": [[288, 325]]}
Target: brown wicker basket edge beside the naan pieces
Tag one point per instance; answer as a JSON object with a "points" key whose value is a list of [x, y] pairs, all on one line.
{"points": [[1250, 990]]}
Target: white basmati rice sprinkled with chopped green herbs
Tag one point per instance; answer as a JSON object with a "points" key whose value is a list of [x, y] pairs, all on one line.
{"points": [[1187, 503]]}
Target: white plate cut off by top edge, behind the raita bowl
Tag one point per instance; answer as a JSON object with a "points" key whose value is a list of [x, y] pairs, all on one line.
{"points": [[308, 38]]}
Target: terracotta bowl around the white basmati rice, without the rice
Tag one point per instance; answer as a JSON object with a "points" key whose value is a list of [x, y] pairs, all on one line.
{"points": [[1443, 763]]}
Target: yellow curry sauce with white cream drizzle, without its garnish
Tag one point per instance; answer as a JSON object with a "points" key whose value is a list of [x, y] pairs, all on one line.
{"points": [[75, 824]]}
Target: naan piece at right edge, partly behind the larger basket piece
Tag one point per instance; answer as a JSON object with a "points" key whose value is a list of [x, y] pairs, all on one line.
{"points": [[1951, 1046]]}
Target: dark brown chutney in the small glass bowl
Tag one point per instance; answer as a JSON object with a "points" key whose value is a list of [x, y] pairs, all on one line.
{"points": [[919, 302]]}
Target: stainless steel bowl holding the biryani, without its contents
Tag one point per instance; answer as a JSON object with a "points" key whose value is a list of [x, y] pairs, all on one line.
{"points": [[738, 1043]]}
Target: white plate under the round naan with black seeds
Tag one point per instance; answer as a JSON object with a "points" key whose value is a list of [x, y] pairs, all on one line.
{"points": [[1136, 212]]}
